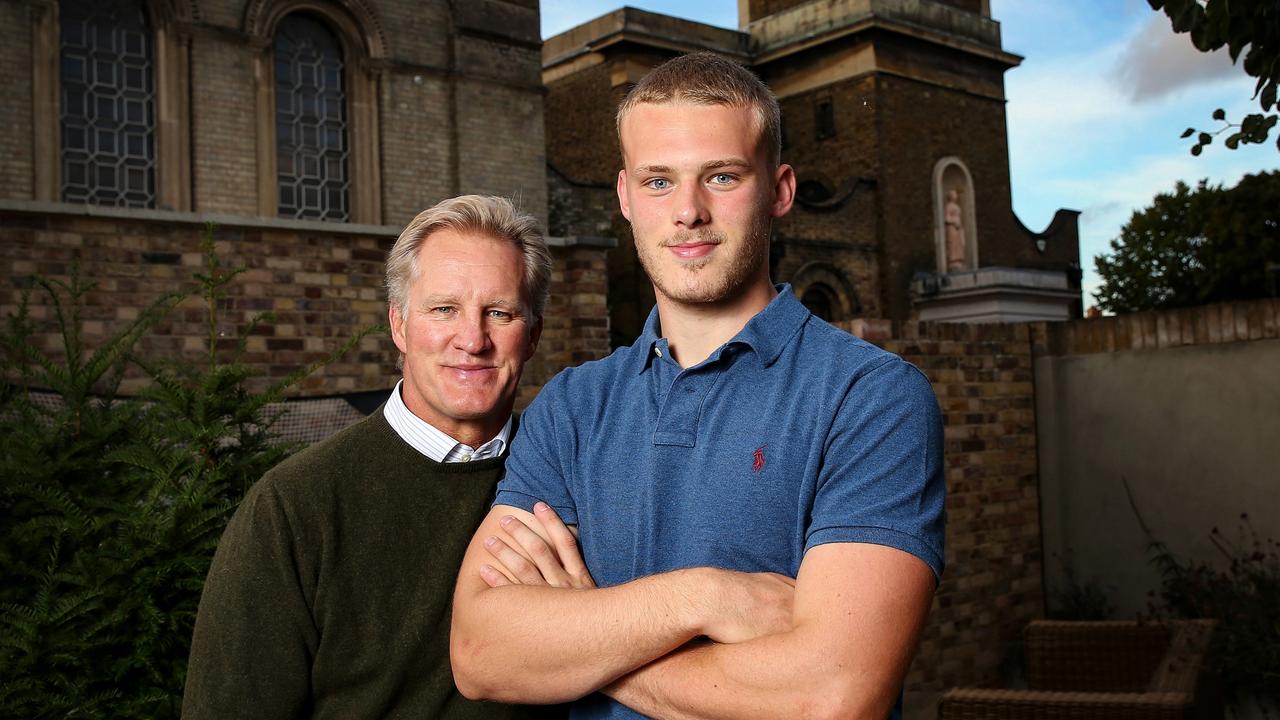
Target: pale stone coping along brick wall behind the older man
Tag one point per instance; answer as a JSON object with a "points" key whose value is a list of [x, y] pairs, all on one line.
{"points": [[223, 220]]}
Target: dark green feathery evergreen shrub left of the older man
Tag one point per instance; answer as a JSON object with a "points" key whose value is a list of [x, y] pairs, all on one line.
{"points": [[112, 509]]}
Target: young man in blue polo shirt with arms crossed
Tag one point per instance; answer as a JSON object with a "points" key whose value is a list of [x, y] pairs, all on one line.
{"points": [[739, 444]]}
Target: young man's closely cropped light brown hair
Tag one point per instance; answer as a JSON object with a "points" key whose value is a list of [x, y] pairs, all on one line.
{"points": [[706, 79]]}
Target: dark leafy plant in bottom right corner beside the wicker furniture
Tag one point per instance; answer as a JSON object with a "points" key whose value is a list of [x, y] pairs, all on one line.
{"points": [[1245, 598]]}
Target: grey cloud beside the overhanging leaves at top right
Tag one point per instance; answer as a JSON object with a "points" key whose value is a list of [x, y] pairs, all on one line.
{"points": [[1160, 62]]}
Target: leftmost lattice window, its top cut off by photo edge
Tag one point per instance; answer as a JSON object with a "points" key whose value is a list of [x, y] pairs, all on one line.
{"points": [[107, 104]]}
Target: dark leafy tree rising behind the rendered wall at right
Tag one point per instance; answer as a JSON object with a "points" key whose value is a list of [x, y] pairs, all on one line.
{"points": [[1196, 247]]}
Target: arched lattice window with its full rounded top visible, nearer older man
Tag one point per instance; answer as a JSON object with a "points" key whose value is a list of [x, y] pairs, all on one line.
{"points": [[312, 135]]}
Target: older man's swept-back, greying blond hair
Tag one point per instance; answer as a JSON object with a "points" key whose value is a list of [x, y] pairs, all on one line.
{"points": [[482, 215]]}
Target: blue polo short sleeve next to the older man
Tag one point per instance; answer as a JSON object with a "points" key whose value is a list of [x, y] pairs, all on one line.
{"points": [[540, 466]]}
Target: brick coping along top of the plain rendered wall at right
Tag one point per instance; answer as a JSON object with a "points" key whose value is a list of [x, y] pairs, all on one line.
{"points": [[1159, 330]]}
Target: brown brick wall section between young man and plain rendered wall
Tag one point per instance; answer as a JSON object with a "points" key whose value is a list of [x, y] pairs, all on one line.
{"points": [[993, 586]]}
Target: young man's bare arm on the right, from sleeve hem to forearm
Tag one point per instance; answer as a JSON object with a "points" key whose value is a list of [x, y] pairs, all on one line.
{"points": [[860, 612]]}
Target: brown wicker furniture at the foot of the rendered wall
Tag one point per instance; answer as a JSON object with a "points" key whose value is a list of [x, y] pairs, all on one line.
{"points": [[1103, 672]]}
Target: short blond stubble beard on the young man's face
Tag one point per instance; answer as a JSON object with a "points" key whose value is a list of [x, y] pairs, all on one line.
{"points": [[714, 279]]}
